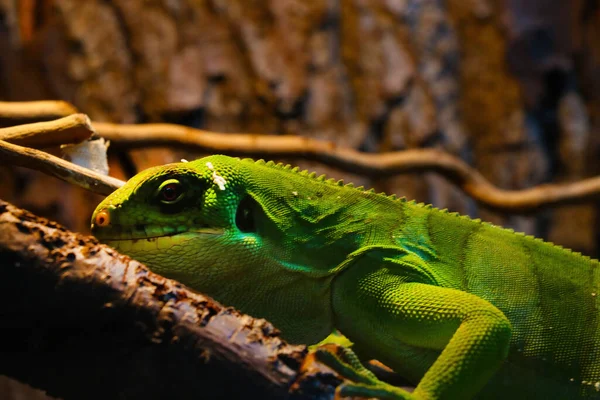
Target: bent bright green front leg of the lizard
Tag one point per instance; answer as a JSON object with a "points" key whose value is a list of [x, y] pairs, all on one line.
{"points": [[452, 340]]}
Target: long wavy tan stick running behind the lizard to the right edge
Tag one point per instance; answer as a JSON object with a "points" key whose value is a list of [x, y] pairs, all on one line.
{"points": [[383, 164]]}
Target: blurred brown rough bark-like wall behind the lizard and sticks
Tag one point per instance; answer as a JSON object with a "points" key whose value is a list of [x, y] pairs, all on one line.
{"points": [[512, 87]]}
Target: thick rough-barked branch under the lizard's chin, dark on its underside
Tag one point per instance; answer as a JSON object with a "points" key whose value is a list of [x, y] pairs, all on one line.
{"points": [[81, 321]]}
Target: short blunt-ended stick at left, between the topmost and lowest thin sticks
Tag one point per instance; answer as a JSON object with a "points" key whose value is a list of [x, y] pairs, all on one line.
{"points": [[72, 129]]}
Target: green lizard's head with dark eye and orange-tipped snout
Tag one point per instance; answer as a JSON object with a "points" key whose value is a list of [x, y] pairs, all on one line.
{"points": [[181, 220]]}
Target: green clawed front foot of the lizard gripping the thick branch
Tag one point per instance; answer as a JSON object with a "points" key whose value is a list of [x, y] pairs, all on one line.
{"points": [[364, 384]]}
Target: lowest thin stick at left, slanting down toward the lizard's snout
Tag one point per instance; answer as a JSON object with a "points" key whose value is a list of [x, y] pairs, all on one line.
{"points": [[34, 159]]}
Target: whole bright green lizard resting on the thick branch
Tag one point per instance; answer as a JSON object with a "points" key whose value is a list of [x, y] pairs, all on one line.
{"points": [[460, 307]]}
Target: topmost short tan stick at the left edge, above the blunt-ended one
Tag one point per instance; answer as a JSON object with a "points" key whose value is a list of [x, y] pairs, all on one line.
{"points": [[35, 110]]}
